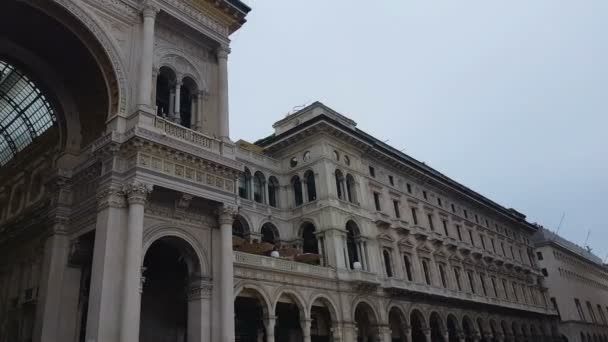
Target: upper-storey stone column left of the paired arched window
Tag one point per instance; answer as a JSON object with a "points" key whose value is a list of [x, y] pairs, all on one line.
{"points": [[147, 56]]}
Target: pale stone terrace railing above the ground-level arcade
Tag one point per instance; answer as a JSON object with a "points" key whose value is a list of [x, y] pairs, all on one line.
{"points": [[283, 265]]}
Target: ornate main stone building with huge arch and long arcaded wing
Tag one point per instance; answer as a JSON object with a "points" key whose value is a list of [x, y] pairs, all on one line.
{"points": [[127, 213]]}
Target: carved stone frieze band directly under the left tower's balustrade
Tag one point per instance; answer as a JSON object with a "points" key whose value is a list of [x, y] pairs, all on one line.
{"points": [[190, 173]]}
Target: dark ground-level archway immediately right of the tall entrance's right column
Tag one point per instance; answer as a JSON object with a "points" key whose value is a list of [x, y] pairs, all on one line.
{"points": [[250, 316]]}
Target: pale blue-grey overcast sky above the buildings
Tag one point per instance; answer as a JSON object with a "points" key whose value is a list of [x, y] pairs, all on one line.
{"points": [[509, 98]]}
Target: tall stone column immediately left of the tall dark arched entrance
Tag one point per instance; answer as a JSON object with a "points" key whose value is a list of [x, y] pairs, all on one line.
{"points": [[131, 295]]}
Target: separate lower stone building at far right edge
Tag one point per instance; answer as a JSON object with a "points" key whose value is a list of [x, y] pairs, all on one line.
{"points": [[577, 283]]}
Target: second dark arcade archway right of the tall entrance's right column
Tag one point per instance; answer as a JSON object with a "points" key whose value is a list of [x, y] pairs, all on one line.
{"points": [[289, 312]]}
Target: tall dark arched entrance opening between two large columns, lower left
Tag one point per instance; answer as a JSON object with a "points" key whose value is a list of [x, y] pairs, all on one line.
{"points": [[170, 303]]}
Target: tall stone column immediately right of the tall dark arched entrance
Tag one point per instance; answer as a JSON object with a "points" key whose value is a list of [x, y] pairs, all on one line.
{"points": [[226, 218]]}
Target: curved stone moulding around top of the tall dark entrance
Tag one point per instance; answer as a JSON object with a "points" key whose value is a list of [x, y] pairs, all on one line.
{"points": [[155, 233]]}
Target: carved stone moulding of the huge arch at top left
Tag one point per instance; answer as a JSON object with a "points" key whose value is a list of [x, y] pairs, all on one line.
{"points": [[110, 61]]}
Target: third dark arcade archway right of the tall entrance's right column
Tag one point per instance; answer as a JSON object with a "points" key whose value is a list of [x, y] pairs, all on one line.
{"points": [[323, 320]]}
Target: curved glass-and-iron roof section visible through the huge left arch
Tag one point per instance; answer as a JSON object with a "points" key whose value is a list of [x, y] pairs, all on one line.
{"points": [[25, 113]]}
